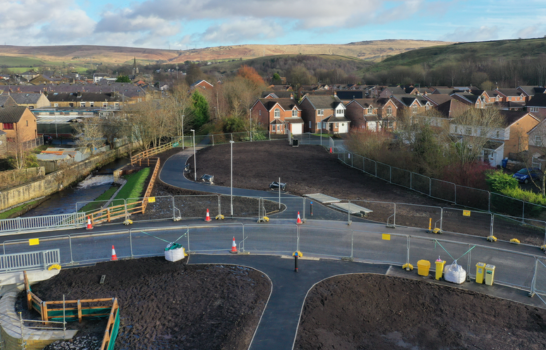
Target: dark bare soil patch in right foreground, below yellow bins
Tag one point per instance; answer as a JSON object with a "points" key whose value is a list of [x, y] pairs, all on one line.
{"points": [[387, 313]]}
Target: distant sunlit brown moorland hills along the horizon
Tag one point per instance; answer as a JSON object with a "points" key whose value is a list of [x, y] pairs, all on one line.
{"points": [[81, 55]]}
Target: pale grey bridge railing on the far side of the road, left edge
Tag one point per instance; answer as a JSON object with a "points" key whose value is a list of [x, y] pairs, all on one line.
{"points": [[64, 221]]}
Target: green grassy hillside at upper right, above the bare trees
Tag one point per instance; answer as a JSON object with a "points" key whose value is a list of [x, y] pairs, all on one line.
{"points": [[460, 52]]}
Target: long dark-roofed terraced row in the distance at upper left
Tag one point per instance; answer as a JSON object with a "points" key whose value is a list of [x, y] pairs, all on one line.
{"points": [[88, 100]]}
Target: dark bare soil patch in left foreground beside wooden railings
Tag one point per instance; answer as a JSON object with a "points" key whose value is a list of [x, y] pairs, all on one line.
{"points": [[167, 305]]}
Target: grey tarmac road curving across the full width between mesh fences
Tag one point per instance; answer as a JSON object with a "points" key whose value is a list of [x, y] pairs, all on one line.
{"points": [[315, 239]]}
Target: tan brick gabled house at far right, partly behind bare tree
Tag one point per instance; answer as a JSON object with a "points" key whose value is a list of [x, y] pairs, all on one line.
{"points": [[511, 137]]}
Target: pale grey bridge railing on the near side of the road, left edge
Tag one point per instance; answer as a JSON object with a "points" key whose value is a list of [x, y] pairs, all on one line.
{"points": [[29, 260]]}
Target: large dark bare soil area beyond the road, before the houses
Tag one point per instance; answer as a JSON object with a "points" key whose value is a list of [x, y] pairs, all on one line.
{"points": [[310, 169]]}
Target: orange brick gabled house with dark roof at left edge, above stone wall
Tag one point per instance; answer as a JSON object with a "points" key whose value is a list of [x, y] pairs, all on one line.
{"points": [[18, 123]]}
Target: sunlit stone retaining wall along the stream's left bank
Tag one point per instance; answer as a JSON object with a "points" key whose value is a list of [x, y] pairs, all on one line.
{"points": [[58, 180]]}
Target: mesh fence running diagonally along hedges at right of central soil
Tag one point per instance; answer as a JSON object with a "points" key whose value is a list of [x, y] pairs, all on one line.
{"points": [[447, 191]]}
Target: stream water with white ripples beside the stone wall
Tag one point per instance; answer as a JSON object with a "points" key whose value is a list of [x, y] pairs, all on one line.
{"points": [[64, 202]]}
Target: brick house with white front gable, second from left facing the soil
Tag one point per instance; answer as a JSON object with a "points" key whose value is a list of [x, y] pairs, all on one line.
{"points": [[324, 114]]}
